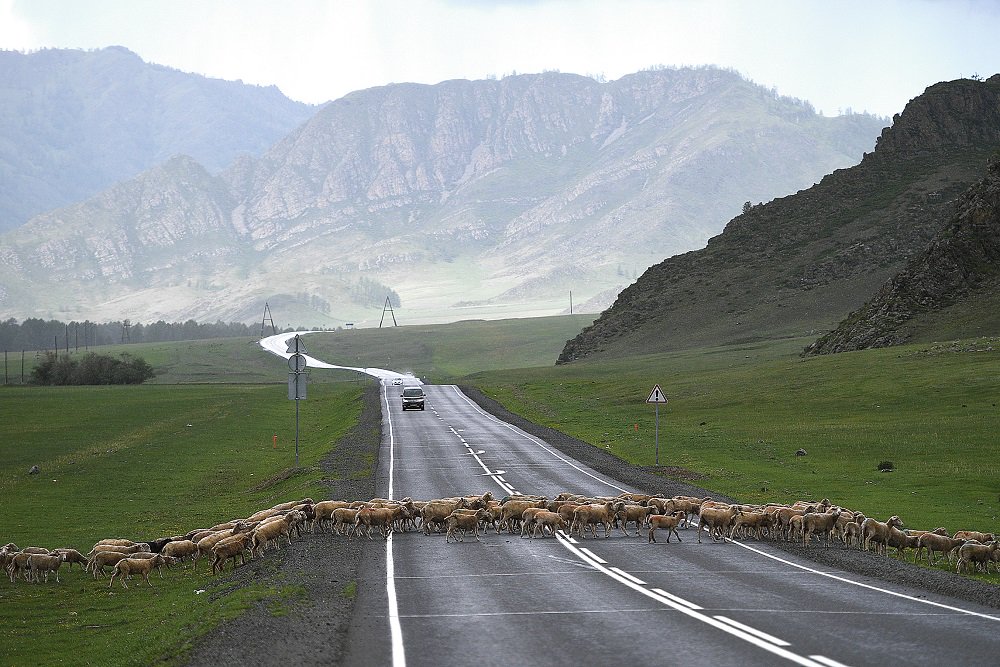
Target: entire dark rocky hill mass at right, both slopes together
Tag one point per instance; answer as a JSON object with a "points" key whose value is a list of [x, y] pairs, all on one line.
{"points": [[799, 265]]}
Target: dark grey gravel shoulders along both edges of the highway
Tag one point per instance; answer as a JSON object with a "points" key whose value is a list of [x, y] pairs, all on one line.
{"points": [[312, 627]]}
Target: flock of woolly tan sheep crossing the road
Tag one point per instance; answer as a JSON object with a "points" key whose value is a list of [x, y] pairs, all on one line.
{"points": [[529, 516]]}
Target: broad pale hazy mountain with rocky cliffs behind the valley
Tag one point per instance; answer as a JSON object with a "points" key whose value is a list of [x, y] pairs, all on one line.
{"points": [[467, 198]]}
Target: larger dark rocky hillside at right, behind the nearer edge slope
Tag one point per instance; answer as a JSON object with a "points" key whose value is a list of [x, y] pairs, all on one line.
{"points": [[800, 264]]}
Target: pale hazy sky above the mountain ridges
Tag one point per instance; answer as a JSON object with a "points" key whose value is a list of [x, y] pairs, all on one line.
{"points": [[867, 55]]}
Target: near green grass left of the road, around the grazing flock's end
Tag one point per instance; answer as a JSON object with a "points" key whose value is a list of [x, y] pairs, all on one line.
{"points": [[143, 462]]}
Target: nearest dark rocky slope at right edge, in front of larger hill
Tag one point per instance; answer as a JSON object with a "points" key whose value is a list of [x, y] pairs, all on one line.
{"points": [[951, 290]]}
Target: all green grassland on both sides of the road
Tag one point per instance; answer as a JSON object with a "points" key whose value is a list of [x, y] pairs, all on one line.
{"points": [[195, 447]]}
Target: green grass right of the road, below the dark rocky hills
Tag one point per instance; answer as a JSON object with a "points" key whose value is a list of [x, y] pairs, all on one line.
{"points": [[737, 415]]}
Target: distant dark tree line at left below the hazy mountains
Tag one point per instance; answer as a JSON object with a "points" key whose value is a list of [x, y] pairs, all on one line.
{"points": [[37, 334]]}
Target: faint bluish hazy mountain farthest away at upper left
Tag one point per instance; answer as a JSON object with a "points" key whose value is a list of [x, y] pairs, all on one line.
{"points": [[74, 122]]}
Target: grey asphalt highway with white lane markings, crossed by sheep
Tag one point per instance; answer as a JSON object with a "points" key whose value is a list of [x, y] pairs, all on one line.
{"points": [[507, 600]]}
